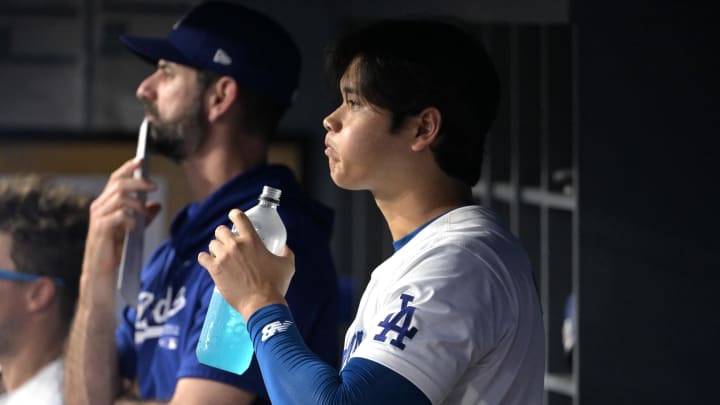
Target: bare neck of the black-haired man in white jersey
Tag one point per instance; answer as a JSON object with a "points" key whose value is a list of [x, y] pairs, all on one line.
{"points": [[408, 208]]}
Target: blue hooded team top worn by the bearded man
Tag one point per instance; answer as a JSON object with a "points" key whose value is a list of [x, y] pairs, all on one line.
{"points": [[156, 343]]}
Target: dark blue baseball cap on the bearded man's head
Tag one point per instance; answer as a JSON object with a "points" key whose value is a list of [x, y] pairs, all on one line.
{"points": [[231, 40]]}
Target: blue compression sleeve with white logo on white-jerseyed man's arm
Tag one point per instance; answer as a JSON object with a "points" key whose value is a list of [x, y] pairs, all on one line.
{"points": [[294, 375]]}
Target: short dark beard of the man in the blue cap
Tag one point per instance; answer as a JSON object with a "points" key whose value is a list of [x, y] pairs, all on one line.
{"points": [[177, 139]]}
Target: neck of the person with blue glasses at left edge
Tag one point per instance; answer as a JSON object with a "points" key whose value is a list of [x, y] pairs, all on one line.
{"points": [[39, 348]]}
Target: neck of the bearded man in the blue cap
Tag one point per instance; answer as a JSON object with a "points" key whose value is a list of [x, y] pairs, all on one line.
{"points": [[223, 157]]}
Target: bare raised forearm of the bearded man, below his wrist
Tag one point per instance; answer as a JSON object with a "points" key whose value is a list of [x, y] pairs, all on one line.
{"points": [[91, 367]]}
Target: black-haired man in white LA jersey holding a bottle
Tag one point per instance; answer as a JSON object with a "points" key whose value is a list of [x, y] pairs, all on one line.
{"points": [[453, 316]]}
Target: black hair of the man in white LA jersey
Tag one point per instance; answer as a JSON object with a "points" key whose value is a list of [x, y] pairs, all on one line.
{"points": [[407, 65]]}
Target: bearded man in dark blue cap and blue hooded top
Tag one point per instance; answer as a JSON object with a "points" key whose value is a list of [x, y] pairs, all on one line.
{"points": [[225, 75]]}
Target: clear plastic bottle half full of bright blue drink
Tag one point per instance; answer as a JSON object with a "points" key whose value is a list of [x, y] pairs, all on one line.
{"points": [[224, 341]]}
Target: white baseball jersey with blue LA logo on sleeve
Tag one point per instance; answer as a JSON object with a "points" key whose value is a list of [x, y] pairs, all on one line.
{"points": [[456, 312]]}
